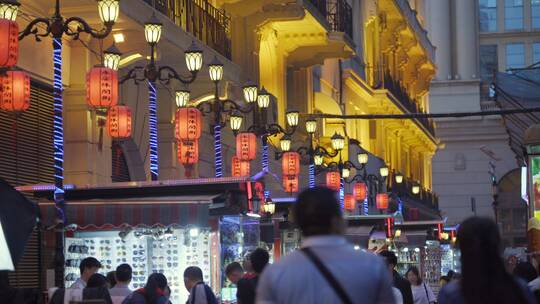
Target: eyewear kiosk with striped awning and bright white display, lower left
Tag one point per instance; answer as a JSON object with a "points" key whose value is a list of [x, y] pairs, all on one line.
{"points": [[160, 227]]}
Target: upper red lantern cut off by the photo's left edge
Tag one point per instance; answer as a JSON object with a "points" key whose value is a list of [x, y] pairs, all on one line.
{"points": [[9, 50]]}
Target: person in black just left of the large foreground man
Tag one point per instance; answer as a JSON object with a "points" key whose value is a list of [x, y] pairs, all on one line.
{"points": [[248, 286]]}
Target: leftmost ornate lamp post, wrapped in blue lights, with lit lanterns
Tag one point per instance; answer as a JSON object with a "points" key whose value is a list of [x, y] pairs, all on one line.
{"points": [[57, 26]]}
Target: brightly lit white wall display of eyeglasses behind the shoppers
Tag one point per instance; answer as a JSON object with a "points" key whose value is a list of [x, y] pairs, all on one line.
{"points": [[148, 250]]}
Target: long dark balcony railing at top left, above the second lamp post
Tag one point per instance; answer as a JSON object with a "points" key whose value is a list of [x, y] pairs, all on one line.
{"points": [[199, 18]]}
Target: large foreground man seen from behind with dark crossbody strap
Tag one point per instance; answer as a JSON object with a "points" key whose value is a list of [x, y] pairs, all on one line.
{"points": [[327, 269]]}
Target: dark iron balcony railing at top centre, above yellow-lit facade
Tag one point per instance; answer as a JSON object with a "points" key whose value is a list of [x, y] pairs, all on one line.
{"points": [[338, 13]]}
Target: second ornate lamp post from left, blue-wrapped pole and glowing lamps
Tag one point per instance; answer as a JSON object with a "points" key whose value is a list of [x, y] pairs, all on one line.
{"points": [[152, 73]]}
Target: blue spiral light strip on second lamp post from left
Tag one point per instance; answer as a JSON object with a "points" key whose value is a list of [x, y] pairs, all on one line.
{"points": [[152, 127]]}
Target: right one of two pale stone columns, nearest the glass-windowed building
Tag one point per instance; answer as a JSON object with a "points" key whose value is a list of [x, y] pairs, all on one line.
{"points": [[466, 39]]}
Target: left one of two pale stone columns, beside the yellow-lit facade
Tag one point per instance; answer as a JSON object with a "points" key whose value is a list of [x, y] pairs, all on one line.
{"points": [[440, 35]]}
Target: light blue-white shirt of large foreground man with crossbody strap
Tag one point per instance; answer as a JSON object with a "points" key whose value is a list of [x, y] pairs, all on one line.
{"points": [[295, 279]]}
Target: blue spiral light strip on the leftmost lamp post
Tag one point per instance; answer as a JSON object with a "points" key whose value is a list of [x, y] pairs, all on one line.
{"points": [[58, 130]]}
